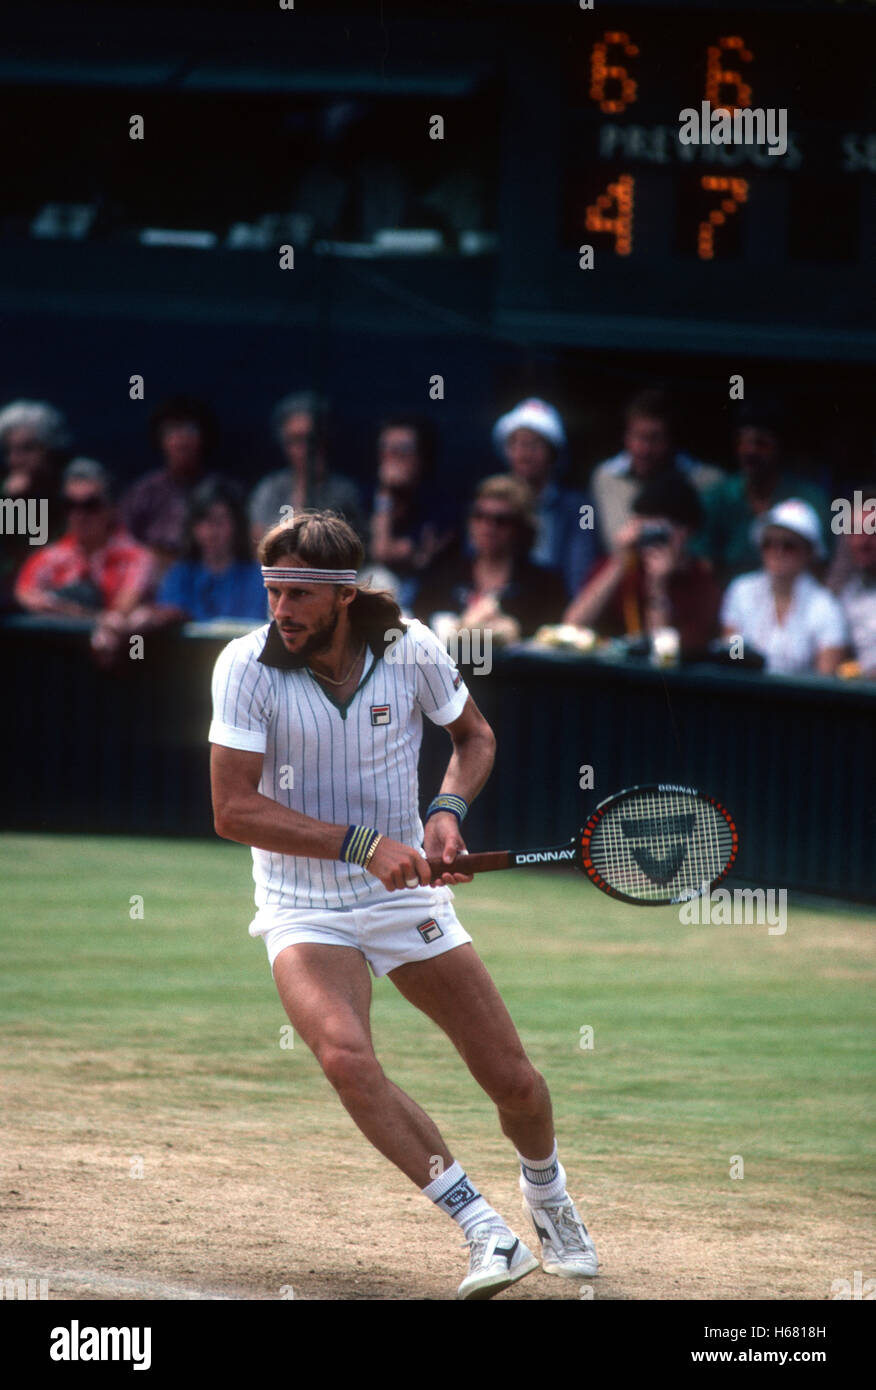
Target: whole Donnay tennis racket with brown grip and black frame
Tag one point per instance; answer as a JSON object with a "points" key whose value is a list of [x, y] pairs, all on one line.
{"points": [[650, 846]]}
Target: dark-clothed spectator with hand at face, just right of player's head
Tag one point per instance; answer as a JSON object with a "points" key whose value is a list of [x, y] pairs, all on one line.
{"points": [[411, 523]]}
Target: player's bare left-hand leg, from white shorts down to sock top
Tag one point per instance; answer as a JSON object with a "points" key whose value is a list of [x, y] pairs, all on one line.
{"points": [[326, 992]]}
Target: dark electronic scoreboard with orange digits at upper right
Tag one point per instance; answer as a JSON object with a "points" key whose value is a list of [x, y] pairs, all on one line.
{"points": [[721, 166]]}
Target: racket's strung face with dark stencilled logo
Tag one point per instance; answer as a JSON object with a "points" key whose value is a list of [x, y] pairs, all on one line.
{"points": [[663, 846]]}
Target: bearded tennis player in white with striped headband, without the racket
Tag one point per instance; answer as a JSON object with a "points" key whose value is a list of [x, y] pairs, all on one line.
{"points": [[316, 732]]}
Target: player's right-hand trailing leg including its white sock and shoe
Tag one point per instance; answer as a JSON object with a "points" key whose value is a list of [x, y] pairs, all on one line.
{"points": [[457, 992]]}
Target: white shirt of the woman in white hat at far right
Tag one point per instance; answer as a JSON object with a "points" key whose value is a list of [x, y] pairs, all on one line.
{"points": [[814, 622]]}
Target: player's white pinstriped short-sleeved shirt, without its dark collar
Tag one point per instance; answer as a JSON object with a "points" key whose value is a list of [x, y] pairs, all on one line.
{"points": [[347, 765]]}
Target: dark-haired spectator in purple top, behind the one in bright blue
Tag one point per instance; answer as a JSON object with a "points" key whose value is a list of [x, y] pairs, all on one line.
{"points": [[155, 509]]}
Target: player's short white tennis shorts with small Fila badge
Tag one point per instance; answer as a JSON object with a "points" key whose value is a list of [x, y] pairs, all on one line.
{"points": [[409, 925]]}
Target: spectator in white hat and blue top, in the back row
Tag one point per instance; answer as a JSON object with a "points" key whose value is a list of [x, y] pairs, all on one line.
{"points": [[532, 441]]}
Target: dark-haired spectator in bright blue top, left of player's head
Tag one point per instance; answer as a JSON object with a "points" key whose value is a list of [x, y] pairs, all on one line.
{"points": [[218, 579]]}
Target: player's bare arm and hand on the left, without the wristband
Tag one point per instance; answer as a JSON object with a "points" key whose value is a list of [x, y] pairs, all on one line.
{"points": [[243, 814]]}
